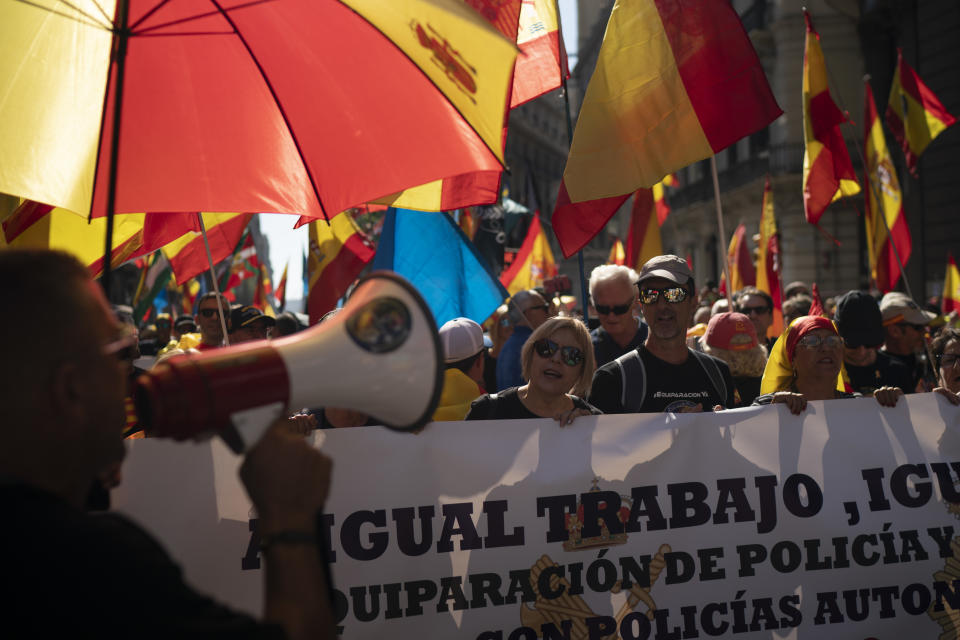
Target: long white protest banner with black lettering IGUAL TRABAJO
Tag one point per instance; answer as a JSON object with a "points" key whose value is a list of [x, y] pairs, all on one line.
{"points": [[754, 523]]}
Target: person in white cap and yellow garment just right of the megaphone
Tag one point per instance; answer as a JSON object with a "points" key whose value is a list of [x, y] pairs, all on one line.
{"points": [[462, 341]]}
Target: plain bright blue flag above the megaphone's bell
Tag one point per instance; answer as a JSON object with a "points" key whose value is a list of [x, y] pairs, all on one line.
{"points": [[431, 251]]}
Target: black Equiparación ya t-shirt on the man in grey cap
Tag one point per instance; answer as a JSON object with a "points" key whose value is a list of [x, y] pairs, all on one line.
{"points": [[666, 386]]}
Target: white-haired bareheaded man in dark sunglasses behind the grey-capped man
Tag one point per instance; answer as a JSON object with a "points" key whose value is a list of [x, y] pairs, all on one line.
{"points": [[613, 290]]}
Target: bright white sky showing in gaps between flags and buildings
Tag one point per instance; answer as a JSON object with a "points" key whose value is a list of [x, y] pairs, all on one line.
{"points": [[288, 245]]}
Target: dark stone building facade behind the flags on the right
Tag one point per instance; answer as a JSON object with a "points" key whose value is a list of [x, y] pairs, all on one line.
{"points": [[857, 37]]}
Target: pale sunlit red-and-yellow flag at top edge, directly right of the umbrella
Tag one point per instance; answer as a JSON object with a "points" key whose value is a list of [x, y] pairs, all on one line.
{"points": [[542, 62]]}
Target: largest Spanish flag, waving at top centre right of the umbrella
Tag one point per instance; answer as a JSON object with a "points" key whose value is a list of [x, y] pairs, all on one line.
{"points": [[675, 82]]}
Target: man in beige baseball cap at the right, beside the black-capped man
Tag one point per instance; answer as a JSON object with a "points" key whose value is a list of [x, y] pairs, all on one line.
{"points": [[905, 326]]}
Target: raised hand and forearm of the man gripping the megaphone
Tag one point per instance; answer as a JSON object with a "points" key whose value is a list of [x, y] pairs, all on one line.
{"points": [[288, 482]]}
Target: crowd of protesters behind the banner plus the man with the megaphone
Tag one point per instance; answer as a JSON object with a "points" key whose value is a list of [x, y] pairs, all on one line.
{"points": [[659, 346]]}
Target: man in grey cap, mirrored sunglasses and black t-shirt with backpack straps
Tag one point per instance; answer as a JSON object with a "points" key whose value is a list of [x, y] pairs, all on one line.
{"points": [[663, 374]]}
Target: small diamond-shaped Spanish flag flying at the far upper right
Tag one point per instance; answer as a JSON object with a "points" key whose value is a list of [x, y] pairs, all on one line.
{"points": [[914, 113]]}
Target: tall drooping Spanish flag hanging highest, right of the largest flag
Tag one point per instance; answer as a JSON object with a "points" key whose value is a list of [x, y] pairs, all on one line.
{"points": [[827, 172]]}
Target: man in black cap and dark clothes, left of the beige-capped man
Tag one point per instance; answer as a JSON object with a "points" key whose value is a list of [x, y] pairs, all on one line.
{"points": [[860, 324]]}
